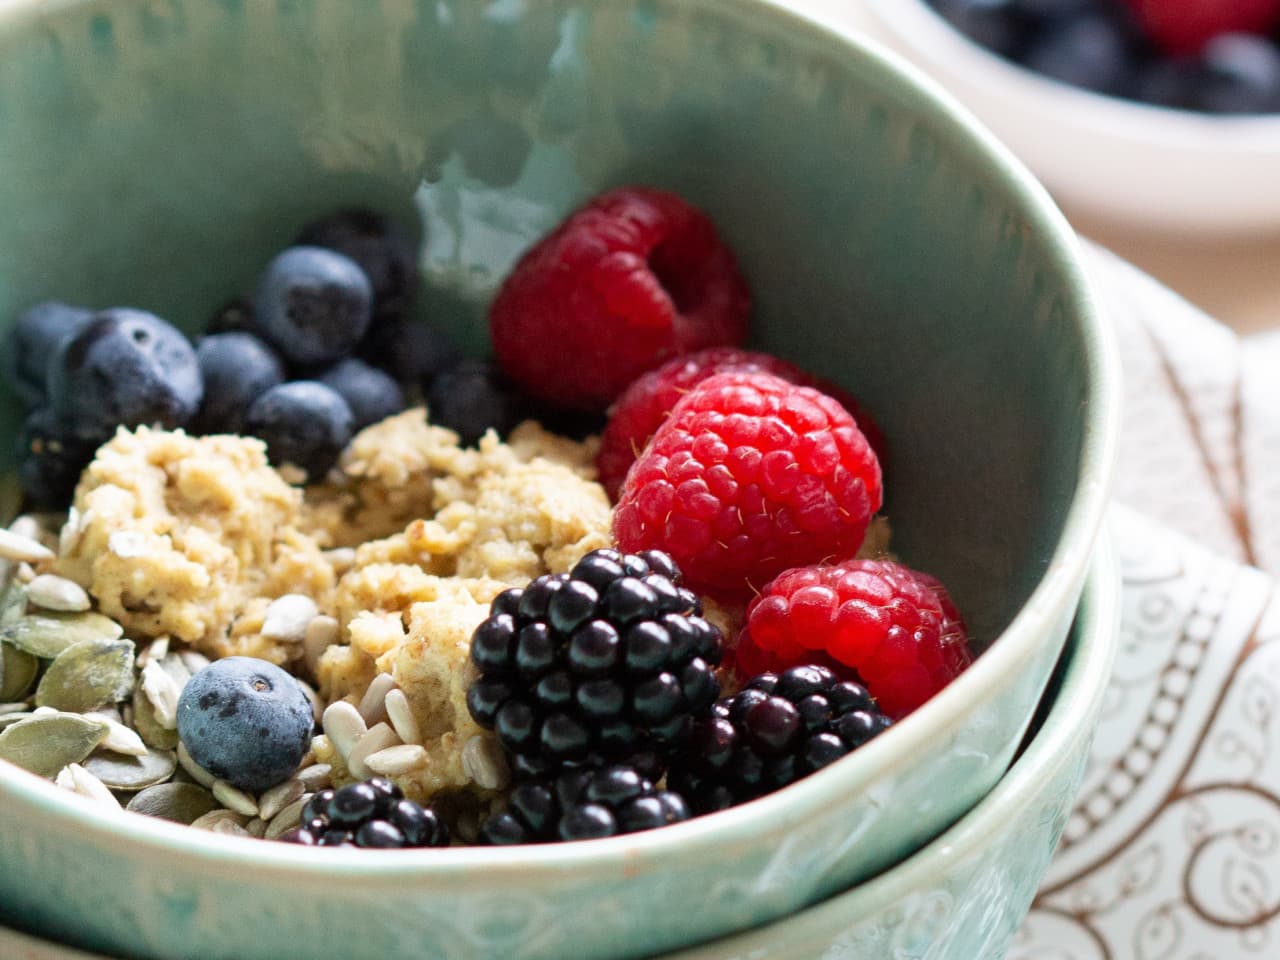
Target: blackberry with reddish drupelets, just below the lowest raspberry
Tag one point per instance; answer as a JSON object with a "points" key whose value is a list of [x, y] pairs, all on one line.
{"points": [[779, 729]]}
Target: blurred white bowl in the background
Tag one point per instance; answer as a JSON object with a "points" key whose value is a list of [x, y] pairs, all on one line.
{"points": [[1114, 161]]}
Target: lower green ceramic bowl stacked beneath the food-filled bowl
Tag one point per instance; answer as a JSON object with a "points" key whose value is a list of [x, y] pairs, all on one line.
{"points": [[964, 895]]}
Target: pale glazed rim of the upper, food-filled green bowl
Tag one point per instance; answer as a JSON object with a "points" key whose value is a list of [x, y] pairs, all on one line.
{"points": [[1057, 593]]}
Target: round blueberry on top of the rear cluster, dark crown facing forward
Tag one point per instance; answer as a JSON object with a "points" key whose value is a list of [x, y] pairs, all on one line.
{"points": [[313, 305]]}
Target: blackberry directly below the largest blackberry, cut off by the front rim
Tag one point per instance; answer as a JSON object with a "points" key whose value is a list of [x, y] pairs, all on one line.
{"points": [[584, 804]]}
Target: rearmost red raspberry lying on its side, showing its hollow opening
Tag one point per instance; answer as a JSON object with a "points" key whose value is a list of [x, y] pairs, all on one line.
{"points": [[629, 281]]}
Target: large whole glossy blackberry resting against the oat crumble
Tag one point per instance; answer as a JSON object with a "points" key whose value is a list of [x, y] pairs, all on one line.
{"points": [[593, 666]]}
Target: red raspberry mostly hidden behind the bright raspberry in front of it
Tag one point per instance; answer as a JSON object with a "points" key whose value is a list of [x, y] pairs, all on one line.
{"points": [[647, 401]]}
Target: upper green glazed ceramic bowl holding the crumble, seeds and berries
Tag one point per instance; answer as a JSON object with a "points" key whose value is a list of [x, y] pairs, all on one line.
{"points": [[158, 153]]}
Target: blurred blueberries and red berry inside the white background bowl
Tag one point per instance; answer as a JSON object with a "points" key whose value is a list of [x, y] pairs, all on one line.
{"points": [[1219, 57]]}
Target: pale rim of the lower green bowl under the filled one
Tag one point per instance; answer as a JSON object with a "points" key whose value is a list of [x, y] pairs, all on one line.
{"points": [[1072, 716]]}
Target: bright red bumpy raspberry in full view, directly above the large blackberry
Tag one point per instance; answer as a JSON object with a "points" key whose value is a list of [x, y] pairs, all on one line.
{"points": [[748, 477]]}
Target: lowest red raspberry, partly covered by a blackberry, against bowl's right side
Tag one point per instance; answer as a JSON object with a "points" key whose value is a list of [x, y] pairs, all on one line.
{"points": [[893, 627]]}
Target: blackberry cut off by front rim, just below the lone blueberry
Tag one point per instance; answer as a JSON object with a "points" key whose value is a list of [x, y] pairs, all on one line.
{"points": [[373, 815]]}
